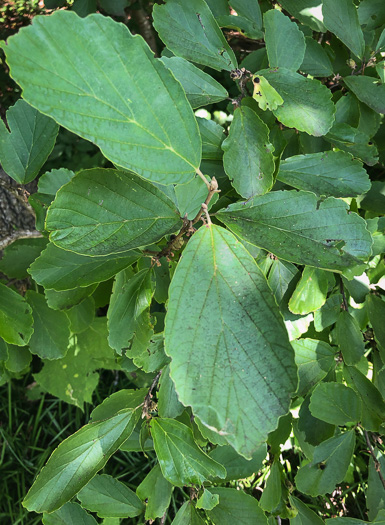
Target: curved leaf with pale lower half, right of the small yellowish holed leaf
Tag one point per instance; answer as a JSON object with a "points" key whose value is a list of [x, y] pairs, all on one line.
{"points": [[307, 103]]}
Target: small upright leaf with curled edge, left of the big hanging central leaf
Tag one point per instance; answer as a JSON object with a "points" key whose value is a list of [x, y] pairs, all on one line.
{"points": [[129, 307]]}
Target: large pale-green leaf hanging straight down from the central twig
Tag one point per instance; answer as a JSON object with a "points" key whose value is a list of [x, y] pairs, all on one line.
{"points": [[241, 384]]}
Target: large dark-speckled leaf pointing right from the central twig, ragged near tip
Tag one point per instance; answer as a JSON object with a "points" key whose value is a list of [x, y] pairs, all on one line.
{"points": [[296, 227]]}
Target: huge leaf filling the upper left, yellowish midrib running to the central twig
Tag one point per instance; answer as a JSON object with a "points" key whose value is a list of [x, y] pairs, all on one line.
{"points": [[108, 88]]}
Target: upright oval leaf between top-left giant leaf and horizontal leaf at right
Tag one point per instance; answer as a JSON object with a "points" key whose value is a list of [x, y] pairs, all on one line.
{"points": [[248, 147]]}
